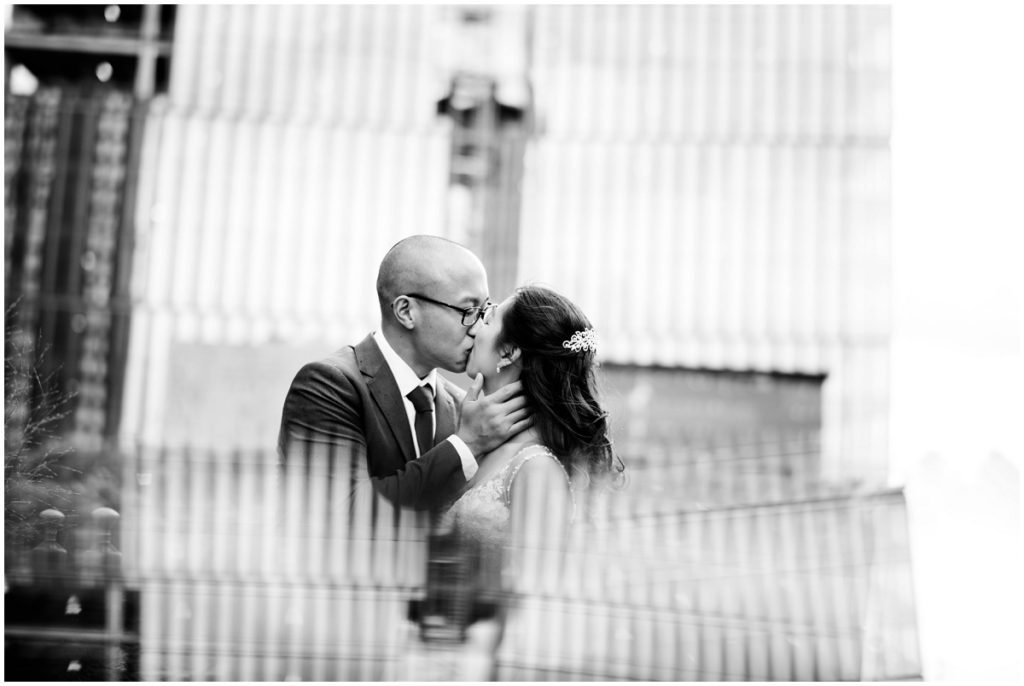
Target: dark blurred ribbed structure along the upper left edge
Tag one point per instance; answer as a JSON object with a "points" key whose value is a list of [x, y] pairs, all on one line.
{"points": [[78, 81]]}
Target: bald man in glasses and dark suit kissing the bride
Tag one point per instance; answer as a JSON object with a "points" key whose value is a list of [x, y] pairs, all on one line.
{"points": [[369, 398]]}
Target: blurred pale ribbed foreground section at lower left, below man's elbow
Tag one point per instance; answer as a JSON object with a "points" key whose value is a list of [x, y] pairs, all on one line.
{"points": [[248, 573]]}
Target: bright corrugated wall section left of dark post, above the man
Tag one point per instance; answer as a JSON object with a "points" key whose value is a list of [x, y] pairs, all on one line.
{"points": [[296, 145]]}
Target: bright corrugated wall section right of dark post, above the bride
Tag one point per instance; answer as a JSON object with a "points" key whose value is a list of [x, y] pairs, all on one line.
{"points": [[711, 184]]}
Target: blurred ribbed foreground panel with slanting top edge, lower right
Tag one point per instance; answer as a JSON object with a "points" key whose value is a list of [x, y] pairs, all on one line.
{"points": [[804, 591]]}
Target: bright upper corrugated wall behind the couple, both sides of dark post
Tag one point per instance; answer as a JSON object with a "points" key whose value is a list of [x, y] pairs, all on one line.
{"points": [[710, 183]]}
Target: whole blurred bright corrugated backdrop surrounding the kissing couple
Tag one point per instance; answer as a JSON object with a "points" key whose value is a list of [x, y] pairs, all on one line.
{"points": [[784, 222]]}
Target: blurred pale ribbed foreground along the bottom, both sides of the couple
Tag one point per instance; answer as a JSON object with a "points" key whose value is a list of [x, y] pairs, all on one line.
{"points": [[248, 572]]}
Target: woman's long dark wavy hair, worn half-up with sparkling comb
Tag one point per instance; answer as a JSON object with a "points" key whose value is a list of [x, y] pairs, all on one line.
{"points": [[560, 384]]}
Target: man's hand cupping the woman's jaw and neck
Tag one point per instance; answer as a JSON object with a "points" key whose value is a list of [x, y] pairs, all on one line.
{"points": [[488, 421]]}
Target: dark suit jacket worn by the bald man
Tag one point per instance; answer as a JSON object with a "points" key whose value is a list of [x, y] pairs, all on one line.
{"points": [[351, 402]]}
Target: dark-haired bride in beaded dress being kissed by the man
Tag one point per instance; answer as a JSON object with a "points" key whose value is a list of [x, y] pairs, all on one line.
{"points": [[516, 513]]}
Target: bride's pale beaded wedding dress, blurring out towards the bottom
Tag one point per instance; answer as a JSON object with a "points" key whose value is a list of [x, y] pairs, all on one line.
{"points": [[477, 590]]}
